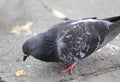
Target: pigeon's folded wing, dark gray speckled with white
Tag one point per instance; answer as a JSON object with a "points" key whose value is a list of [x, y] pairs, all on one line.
{"points": [[79, 39]]}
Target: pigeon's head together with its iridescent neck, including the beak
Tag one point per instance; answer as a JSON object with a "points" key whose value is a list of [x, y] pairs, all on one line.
{"points": [[41, 47]]}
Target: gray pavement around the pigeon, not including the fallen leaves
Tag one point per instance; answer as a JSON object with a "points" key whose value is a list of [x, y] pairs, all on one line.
{"points": [[99, 67]]}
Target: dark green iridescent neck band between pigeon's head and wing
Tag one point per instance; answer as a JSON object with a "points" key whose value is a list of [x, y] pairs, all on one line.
{"points": [[48, 50]]}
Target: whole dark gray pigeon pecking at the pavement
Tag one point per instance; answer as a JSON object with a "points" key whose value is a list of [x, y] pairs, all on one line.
{"points": [[72, 41]]}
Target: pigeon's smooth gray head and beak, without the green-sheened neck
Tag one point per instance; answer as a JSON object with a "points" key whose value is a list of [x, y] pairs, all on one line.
{"points": [[33, 47]]}
